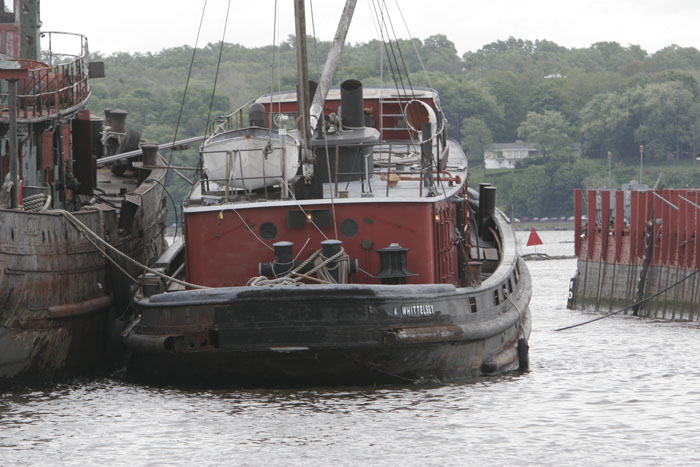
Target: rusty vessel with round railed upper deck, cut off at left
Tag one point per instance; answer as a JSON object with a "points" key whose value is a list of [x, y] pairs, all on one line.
{"points": [[62, 220]]}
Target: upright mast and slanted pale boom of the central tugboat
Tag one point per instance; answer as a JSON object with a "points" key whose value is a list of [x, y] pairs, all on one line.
{"points": [[312, 115]]}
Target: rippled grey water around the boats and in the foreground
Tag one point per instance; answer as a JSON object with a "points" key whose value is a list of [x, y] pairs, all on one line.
{"points": [[619, 391]]}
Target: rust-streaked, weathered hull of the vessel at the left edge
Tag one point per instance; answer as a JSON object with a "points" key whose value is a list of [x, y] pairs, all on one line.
{"points": [[59, 296]]}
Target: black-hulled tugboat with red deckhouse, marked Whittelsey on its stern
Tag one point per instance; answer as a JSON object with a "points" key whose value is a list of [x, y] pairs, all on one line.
{"points": [[348, 250]]}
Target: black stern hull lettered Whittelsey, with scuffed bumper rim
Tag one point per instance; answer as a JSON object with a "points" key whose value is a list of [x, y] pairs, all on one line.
{"points": [[329, 335]]}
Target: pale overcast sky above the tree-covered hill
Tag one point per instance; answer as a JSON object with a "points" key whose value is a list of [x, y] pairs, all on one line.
{"points": [[152, 25]]}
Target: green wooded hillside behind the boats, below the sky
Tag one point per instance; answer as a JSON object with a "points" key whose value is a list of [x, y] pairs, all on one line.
{"points": [[607, 97]]}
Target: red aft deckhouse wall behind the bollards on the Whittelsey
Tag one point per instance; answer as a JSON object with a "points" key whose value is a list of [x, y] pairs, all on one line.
{"points": [[224, 247]]}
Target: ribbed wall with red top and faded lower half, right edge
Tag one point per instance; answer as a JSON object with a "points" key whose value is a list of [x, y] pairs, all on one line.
{"points": [[607, 278]]}
